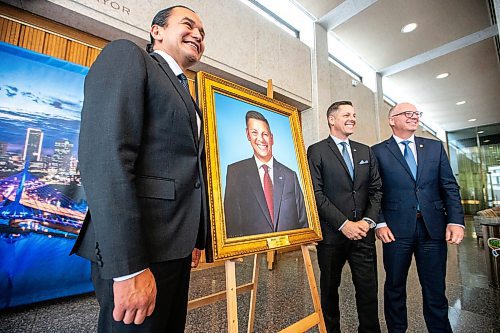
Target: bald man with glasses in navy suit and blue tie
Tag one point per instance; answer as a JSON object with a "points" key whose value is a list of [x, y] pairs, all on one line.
{"points": [[421, 211]]}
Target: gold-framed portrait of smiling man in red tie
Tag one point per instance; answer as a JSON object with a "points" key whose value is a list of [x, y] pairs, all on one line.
{"points": [[260, 191]]}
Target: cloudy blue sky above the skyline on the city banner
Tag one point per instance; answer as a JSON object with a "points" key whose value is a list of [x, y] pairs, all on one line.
{"points": [[42, 92]]}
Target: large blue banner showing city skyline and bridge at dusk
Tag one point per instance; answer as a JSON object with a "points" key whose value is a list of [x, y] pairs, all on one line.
{"points": [[42, 203]]}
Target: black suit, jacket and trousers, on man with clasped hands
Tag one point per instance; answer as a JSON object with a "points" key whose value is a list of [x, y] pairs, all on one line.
{"points": [[340, 198]]}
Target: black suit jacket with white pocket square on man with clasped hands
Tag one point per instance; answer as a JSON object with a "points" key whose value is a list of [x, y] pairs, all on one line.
{"points": [[338, 197]]}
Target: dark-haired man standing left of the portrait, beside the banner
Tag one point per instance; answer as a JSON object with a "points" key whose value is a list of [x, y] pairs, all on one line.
{"points": [[141, 154]]}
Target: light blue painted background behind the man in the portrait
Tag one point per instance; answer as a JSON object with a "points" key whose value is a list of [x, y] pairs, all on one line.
{"points": [[233, 143]]}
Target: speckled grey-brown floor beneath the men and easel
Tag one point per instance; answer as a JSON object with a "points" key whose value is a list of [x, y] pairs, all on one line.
{"points": [[283, 298]]}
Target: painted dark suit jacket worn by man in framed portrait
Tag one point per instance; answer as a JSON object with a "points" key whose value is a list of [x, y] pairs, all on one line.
{"points": [[245, 206]]}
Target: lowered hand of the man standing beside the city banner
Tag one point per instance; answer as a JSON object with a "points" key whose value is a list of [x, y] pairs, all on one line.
{"points": [[135, 298]]}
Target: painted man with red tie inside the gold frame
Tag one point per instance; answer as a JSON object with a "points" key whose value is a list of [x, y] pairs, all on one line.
{"points": [[262, 195]]}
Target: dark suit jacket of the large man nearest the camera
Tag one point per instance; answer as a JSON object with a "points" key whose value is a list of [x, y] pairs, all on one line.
{"points": [[141, 163]]}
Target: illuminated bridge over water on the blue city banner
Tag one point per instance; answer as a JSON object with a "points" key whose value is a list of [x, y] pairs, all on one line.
{"points": [[30, 203]]}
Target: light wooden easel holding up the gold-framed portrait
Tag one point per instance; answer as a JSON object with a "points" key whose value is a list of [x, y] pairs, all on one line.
{"points": [[232, 290]]}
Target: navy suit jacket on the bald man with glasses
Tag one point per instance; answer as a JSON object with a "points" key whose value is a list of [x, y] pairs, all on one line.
{"points": [[435, 189]]}
